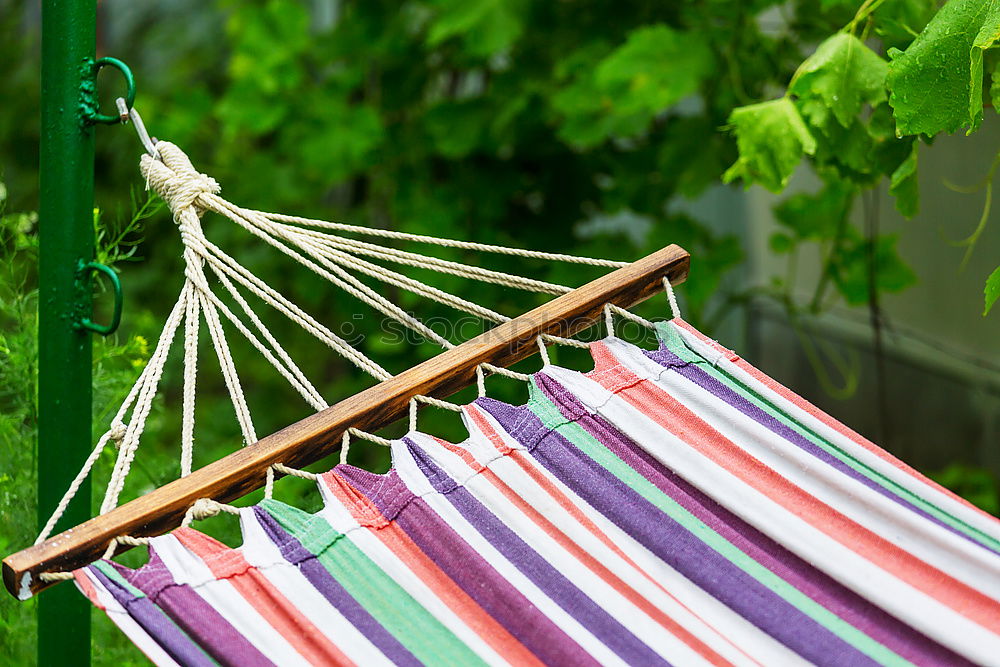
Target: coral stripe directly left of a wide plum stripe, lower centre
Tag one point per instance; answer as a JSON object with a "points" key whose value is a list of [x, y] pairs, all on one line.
{"points": [[397, 541]]}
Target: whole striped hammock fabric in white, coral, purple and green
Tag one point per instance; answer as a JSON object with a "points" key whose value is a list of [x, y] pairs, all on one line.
{"points": [[674, 506]]}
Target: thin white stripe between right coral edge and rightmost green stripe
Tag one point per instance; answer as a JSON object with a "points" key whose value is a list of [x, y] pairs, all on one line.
{"points": [[915, 485]]}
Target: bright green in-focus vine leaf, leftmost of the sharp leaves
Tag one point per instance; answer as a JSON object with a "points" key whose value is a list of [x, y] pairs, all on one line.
{"points": [[772, 138]]}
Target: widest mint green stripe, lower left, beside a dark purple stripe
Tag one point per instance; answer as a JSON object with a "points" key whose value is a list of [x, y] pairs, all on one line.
{"points": [[408, 621]]}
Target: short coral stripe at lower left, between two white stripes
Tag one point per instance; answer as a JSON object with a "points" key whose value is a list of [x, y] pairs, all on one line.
{"points": [[261, 594]]}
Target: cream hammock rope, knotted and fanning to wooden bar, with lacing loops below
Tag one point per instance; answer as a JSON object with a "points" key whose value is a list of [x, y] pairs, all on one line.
{"points": [[335, 258]]}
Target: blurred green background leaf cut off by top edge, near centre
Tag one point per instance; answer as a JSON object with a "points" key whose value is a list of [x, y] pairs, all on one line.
{"points": [[485, 27]]}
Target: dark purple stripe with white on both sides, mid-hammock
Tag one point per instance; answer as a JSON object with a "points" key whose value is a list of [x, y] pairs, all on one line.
{"points": [[544, 575]]}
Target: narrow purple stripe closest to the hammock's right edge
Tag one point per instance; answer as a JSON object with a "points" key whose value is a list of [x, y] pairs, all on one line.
{"points": [[692, 372]]}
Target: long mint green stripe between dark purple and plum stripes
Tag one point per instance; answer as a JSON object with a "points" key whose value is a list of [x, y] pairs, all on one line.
{"points": [[576, 434]]}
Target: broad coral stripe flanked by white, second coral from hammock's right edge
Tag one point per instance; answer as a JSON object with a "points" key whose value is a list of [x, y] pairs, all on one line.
{"points": [[659, 406]]}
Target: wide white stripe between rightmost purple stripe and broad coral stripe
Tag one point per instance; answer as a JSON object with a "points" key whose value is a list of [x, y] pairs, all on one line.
{"points": [[928, 541]]}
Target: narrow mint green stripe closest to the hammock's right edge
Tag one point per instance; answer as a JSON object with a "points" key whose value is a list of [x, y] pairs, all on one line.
{"points": [[676, 344]]}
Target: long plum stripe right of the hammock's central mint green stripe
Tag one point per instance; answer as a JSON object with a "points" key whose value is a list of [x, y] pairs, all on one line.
{"points": [[819, 586]]}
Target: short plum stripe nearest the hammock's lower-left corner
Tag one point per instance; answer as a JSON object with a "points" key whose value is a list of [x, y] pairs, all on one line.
{"points": [[193, 614]]}
